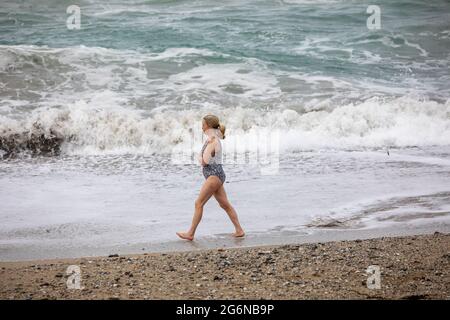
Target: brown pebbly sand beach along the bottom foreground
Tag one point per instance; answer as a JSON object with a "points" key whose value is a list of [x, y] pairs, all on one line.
{"points": [[411, 267]]}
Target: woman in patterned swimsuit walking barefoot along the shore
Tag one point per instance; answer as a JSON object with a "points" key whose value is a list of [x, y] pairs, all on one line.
{"points": [[211, 160]]}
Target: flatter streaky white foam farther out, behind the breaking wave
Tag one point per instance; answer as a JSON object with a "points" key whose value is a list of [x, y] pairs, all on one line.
{"points": [[185, 75]]}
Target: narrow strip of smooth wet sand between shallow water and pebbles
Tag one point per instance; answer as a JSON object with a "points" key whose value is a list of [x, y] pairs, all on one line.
{"points": [[17, 253]]}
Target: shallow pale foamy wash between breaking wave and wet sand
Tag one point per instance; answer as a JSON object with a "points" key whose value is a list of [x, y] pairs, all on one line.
{"points": [[108, 201]]}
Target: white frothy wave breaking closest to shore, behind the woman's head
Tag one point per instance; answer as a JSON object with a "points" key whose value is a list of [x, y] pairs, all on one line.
{"points": [[372, 124]]}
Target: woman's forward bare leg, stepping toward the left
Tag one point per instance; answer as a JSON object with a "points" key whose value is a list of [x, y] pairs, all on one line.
{"points": [[209, 187]]}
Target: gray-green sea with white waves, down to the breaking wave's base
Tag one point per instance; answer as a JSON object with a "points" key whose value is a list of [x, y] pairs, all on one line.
{"points": [[311, 68]]}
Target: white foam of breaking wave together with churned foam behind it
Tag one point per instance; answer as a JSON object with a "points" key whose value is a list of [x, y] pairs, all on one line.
{"points": [[115, 101]]}
